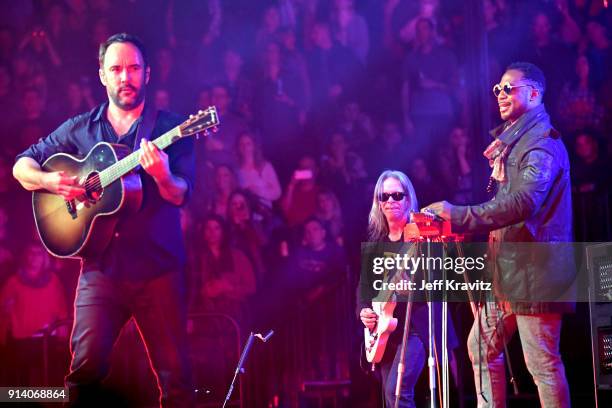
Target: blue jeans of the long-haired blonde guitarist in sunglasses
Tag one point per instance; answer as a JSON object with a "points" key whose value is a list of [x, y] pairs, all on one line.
{"points": [[415, 361]]}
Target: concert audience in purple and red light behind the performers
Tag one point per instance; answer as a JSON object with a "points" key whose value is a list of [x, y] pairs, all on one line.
{"points": [[315, 99]]}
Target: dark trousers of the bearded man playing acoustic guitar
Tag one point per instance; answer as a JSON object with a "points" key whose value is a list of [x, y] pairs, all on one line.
{"points": [[103, 306]]}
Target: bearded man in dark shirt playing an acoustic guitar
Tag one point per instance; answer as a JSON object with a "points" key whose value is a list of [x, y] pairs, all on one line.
{"points": [[140, 273]]}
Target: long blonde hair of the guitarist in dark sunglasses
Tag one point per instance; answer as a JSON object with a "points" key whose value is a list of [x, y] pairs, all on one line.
{"points": [[378, 228]]}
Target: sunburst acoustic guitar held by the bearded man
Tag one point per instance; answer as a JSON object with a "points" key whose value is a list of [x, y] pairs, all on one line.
{"points": [[84, 226]]}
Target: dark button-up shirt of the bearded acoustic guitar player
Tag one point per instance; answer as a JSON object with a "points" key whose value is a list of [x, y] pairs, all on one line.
{"points": [[146, 244]]}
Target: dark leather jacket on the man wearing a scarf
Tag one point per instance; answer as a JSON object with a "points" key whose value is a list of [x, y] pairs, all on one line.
{"points": [[533, 205]]}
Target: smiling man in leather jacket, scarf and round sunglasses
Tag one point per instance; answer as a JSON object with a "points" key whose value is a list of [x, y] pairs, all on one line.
{"points": [[529, 219]]}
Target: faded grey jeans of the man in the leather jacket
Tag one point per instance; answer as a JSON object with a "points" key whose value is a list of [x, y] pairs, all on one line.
{"points": [[539, 335]]}
